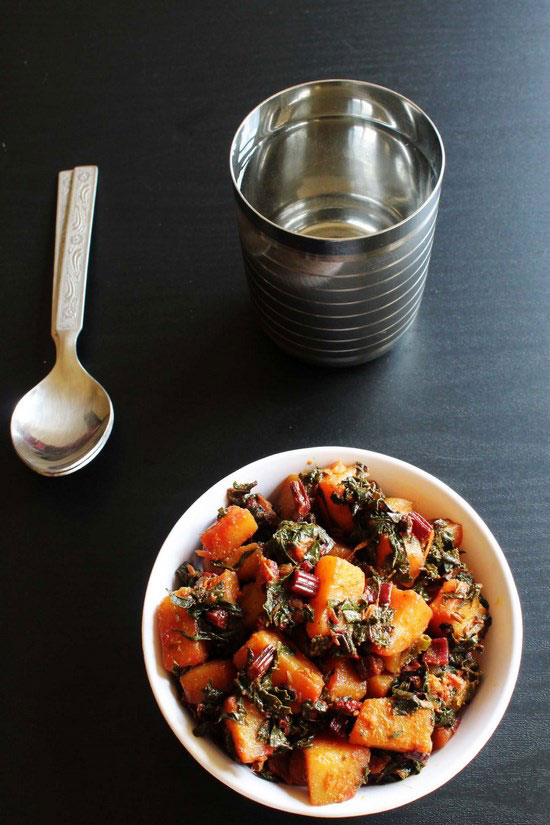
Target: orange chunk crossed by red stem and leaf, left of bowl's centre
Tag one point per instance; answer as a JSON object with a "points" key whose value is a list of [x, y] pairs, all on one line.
{"points": [[293, 669]]}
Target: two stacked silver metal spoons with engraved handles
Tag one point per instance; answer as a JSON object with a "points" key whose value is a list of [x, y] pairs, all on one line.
{"points": [[63, 422]]}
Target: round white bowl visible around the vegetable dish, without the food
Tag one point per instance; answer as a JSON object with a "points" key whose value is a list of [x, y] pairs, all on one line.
{"points": [[486, 560]]}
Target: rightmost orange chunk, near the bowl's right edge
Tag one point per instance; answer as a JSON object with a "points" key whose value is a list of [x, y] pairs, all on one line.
{"points": [[465, 617]]}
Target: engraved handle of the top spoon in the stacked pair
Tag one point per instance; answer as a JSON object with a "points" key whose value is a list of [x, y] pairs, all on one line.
{"points": [[74, 250]]}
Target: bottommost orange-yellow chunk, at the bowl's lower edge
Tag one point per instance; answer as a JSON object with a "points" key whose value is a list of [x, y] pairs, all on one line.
{"points": [[335, 770]]}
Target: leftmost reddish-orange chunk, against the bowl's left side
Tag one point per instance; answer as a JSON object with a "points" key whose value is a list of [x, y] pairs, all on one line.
{"points": [[176, 649]]}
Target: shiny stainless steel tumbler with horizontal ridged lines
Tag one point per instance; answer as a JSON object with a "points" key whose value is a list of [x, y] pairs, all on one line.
{"points": [[337, 185]]}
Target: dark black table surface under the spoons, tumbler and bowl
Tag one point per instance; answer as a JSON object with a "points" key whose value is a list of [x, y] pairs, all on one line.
{"points": [[152, 93]]}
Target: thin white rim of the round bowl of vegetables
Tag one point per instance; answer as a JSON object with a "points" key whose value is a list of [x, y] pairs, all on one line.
{"points": [[295, 806]]}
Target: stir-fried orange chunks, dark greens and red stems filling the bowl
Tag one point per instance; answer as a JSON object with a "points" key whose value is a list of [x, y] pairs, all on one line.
{"points": [[330, 638]]}
